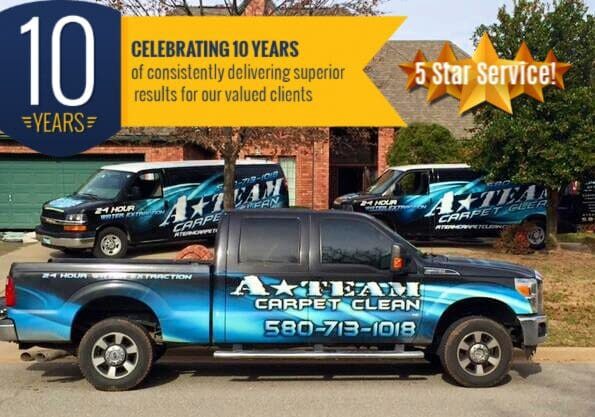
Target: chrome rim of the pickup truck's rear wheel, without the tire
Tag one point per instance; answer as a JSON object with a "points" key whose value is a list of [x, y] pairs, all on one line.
{"points": [[114, 355]]}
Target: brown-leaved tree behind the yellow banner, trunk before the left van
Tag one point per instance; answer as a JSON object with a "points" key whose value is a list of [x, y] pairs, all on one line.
{"points": [[229, 141]]}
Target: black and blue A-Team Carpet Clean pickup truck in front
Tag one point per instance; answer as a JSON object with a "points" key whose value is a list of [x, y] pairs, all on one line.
{"points": [[284, 284]]}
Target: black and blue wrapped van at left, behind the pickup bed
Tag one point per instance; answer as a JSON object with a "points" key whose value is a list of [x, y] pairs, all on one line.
{"points": [[137, 203]]}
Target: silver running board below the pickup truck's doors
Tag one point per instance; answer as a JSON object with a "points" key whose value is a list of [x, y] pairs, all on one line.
{"points": [[310, 354]]}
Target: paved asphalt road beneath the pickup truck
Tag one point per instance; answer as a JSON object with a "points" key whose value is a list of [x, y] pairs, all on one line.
{"points": [[183, 387]]}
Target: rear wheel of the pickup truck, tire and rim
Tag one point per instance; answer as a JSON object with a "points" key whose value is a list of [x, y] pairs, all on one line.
{"points": [[116, 354]]}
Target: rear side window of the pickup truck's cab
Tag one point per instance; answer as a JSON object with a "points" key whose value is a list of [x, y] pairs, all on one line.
{"points": [[280, 243]]}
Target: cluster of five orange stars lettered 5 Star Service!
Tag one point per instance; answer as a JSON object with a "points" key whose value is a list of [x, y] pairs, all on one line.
{"points": [[485, 77]]}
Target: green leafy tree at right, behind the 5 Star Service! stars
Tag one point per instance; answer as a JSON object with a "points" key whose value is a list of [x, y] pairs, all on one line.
{"points": [[548, 143]]}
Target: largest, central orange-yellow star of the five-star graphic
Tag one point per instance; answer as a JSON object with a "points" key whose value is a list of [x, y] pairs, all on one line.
{"points": [[474, 92]]}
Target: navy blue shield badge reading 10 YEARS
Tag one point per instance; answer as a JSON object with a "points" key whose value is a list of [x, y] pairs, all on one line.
{"points": [[60, 75]]}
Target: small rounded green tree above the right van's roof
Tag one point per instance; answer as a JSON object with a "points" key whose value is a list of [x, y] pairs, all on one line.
{"points": [[424, 143]]}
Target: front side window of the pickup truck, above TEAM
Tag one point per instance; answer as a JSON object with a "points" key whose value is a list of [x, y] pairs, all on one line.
{"points": [[354, 242]]}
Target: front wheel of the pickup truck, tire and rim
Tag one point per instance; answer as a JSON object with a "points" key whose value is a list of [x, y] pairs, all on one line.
{"points": [[476, 352]]}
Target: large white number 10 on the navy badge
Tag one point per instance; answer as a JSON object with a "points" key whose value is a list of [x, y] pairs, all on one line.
{"points": [[32, 27]]}
